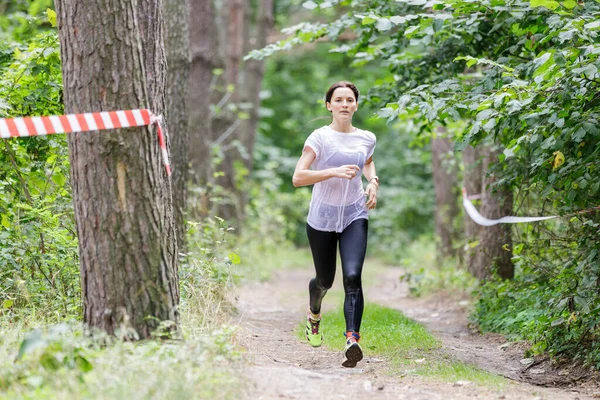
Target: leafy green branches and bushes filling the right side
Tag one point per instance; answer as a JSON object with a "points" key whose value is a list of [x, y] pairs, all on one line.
{"points": [[524, 75]]}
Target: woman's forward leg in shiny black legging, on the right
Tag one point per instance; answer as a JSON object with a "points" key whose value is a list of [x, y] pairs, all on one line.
{"points": [[353, 247]]}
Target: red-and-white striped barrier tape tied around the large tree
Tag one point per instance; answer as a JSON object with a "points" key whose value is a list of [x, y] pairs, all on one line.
{"points": [[37, 126]]}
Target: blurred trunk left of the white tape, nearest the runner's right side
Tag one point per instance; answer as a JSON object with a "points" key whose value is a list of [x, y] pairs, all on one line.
{"points": [[446, 211]]}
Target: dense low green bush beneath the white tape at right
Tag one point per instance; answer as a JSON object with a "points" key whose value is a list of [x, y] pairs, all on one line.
{"points": [[552, 303]]}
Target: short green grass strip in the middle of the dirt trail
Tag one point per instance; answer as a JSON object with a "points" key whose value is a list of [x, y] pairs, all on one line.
{"points": [[409, 347]]}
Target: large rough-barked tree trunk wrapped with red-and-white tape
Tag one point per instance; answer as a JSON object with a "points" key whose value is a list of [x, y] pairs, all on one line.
{"points": [[113, 59]]}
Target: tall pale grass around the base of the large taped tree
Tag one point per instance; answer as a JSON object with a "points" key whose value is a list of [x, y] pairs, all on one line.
{"points": [[39, 359]]}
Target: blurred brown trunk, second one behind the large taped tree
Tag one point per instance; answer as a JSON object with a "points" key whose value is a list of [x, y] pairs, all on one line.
{"points": [[204, 59]]}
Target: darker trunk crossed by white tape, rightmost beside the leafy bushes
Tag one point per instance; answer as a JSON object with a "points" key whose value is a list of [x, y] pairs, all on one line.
{"points": [[494, 250]]}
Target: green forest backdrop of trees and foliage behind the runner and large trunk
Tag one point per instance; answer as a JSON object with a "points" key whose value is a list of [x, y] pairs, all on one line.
{"points": [[499, 97]]}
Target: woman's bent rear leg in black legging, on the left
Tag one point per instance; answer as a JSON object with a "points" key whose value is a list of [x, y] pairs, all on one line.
{"points": [[323, 247]]}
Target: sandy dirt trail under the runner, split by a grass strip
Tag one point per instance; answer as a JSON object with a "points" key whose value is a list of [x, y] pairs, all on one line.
{"points": [[280, 366]]}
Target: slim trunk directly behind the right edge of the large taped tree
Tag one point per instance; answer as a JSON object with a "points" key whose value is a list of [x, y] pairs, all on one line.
{"points": [[178, 61]]}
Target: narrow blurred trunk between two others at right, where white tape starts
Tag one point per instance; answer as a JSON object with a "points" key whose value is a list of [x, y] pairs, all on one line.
{"points": [[472, 182]]}
